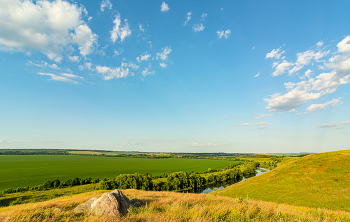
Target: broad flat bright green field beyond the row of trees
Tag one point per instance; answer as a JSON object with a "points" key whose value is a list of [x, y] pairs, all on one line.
{"points": [[31, 170]]}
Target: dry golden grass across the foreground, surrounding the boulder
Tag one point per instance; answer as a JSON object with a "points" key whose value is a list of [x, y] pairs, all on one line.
{"points": [[170, 206]]}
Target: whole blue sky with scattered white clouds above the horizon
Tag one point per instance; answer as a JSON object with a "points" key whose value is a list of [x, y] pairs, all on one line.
{"points": [[180, 76]]}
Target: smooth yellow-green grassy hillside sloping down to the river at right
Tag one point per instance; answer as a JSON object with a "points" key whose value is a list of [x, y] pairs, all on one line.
{"points": [[317, 180]]}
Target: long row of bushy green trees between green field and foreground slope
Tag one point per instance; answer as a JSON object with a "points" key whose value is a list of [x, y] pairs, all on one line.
{"points": [[178, 181]]}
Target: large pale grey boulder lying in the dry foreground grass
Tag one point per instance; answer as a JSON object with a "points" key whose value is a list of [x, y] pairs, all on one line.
{"points": [[114, 203]]}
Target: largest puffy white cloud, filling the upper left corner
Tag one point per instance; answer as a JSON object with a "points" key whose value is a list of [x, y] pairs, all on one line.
{"points": [[49, 27]]}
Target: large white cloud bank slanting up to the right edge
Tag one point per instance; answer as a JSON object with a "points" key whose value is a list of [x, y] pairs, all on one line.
{"points": [[325, 83]]}
